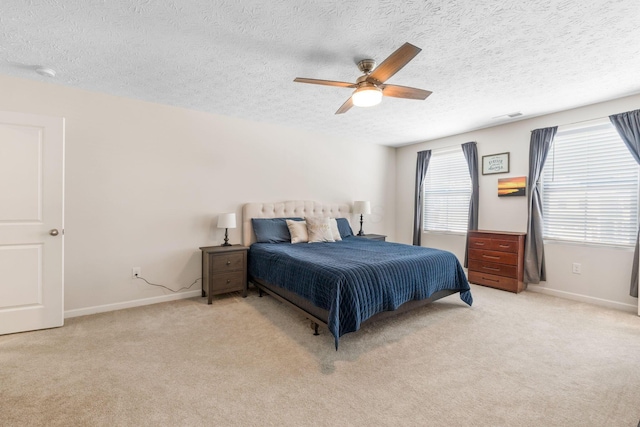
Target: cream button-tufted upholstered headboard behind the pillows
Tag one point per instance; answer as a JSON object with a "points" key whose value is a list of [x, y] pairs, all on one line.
{"points": [[294, 208]]}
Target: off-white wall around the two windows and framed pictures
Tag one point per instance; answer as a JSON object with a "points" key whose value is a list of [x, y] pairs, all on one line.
{"points": [[605, 271]]}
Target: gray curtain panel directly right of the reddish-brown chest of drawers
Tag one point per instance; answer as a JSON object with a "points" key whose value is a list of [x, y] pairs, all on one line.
{"points": [[534, 266]]}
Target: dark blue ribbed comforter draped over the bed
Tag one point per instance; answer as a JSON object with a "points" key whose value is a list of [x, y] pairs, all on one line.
{"points": [[356, 278]]}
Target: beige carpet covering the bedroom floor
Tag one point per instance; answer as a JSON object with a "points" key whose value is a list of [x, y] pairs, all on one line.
{"points": [[510, 360]]}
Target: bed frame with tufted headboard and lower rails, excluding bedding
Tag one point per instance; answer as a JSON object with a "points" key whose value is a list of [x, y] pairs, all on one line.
{"points": [[301, 208]]}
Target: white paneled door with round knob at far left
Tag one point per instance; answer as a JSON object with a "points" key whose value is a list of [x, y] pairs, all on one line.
{"points": [[31, 222]]}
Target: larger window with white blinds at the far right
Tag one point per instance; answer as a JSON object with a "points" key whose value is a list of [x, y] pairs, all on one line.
{"points": [[590, 187]]}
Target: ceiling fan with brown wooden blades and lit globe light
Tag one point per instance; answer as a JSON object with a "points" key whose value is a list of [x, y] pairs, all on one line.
{"points": [[370, 87]]}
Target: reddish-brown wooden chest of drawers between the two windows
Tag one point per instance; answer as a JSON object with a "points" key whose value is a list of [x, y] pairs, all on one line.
{"points": [[496, 259]]}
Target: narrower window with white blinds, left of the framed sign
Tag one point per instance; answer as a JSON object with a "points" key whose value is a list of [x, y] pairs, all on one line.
{"points": [[447, 190]]}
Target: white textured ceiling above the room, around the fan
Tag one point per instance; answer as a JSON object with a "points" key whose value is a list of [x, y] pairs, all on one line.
{"points": [[481, 59]]}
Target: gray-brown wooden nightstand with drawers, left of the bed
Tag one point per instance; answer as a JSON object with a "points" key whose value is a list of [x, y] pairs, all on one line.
{"points": [[224, 269]]}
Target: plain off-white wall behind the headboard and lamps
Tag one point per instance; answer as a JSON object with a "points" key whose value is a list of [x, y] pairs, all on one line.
{"points": [[144, 183]]}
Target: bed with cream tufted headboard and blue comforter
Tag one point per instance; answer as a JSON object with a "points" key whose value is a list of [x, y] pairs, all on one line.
{"points": [[345, 283]]}
